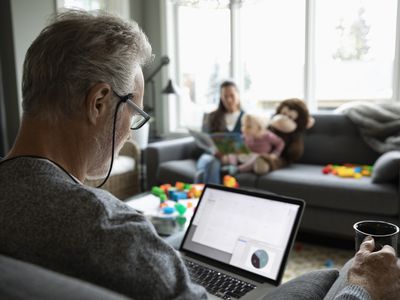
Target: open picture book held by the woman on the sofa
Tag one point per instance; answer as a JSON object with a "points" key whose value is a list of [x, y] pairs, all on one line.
{"points": [[223, 142]]}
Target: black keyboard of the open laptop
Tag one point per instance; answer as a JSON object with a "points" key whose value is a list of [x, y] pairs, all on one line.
{"points": [[217, 283]]}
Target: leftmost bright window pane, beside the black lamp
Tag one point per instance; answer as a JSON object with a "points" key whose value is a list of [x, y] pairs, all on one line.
{"points": [[204, 58]]}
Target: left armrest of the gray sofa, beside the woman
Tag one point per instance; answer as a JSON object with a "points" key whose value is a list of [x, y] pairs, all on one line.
{"points": [[159, 152]]}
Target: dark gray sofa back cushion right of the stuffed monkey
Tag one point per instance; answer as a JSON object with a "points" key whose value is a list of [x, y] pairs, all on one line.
{"points": [[335, 139]]}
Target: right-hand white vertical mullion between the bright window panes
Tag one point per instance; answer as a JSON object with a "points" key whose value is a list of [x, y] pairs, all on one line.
{"points": [[309, 60]]}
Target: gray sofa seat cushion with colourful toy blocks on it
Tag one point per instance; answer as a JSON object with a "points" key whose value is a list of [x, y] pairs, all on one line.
{"points": [[328, 191]]}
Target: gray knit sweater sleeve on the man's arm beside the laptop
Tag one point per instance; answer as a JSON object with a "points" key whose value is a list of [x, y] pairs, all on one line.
{"points": [[129, 257]]}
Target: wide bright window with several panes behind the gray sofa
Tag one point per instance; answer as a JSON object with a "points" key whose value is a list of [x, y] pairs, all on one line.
{"points": [[326, 52]]}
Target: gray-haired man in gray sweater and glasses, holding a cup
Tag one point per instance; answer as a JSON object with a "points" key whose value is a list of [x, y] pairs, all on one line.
{"points": [[82, 93]]}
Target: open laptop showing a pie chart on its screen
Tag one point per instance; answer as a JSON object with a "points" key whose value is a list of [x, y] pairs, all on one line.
{"points": [[238, 241]]}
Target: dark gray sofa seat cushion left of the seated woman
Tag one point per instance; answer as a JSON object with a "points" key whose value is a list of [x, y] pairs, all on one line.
{"points": [[180, 170]]}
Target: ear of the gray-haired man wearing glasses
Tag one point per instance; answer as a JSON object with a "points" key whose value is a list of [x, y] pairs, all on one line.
{"points": [[96, 101]]}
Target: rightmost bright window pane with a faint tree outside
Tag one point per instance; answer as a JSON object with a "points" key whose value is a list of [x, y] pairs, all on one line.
{"points": [[355, 48]]}
